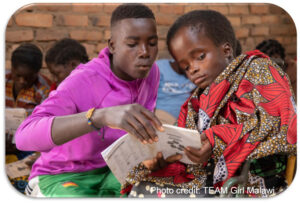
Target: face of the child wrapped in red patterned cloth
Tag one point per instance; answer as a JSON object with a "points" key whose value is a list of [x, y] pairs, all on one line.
{"points": [[198, 55]]}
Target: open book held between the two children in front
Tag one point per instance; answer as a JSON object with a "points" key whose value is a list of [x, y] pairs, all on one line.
{"points": [[127, 152]]}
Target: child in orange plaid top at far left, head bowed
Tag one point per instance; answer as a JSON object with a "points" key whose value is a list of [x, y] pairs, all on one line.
{"points": [[25, 88]]}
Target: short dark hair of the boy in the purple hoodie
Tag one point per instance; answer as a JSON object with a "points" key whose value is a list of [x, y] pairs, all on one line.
{"points": [[130, 10]]}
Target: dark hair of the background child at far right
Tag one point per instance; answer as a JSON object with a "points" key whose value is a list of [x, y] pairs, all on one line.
{"points": [[271, 47]]}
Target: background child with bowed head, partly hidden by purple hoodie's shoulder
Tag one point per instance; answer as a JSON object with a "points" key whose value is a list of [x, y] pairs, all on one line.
{"points": [[63, 57]]}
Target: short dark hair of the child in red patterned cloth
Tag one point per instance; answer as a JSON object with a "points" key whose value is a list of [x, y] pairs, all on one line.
{"points": [[215, 26]]}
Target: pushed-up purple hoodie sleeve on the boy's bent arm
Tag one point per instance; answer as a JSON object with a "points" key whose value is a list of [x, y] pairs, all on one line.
{"points": [[34, 134]]}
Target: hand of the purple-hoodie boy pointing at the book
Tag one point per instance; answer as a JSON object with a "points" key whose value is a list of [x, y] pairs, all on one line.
{"points": [[134, 119]]}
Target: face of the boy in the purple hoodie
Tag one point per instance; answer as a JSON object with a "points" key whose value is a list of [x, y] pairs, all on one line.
{"points": [[134, 47]]}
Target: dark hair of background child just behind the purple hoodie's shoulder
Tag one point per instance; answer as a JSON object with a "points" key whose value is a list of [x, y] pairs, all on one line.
{"points": [[66, 50]]}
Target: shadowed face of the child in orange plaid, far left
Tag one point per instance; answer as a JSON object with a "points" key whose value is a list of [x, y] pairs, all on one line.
{"points": [[23, 77]]}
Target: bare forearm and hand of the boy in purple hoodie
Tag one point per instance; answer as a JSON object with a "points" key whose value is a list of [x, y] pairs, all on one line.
{"points": [[132, 118]]}
